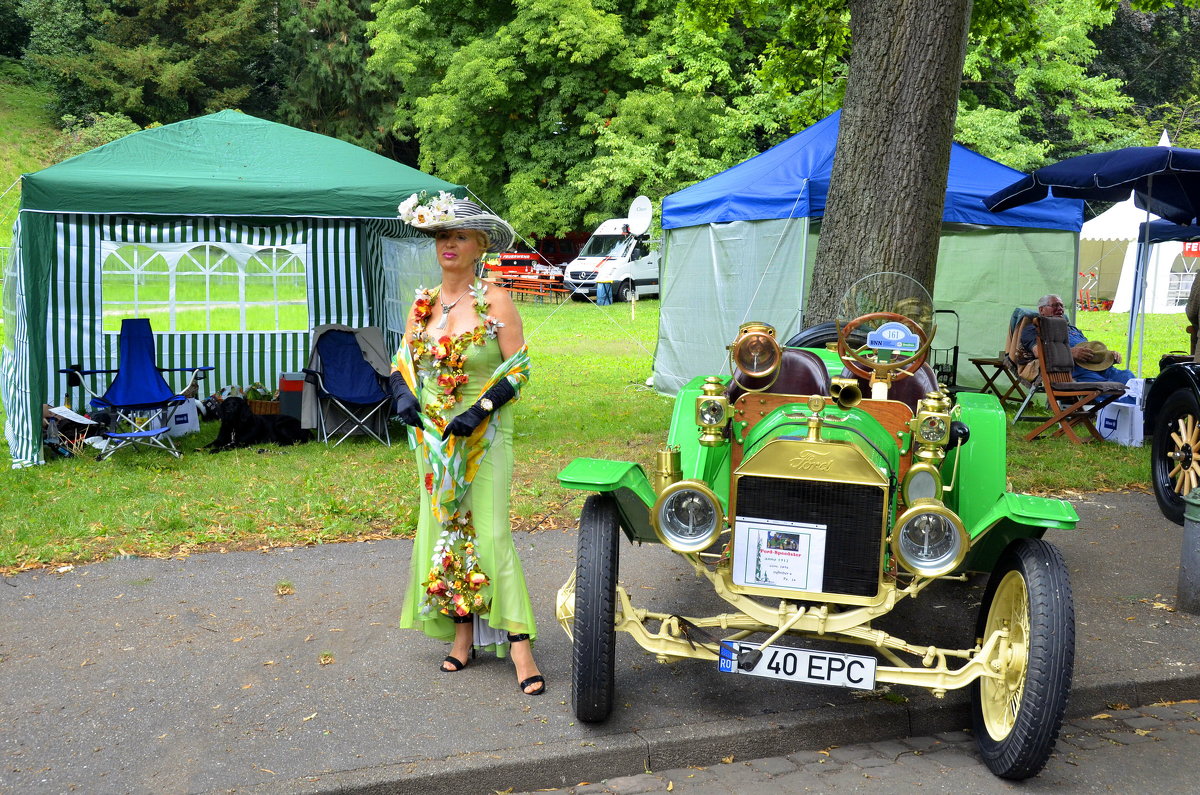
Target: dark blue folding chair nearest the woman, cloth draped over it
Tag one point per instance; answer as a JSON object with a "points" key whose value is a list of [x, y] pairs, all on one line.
{"points": [[353, 397]]}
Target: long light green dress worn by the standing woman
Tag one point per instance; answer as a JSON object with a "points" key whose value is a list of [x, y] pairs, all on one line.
{"points": [[488, 499]]}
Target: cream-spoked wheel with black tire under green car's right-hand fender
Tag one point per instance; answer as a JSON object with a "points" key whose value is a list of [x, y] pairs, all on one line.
{"points": [[1017, 718]]}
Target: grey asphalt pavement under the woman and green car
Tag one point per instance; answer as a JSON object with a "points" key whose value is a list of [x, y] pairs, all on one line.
{"points": [[196, 676]]}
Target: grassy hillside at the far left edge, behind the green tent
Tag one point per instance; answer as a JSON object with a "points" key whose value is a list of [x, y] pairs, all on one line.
{"points": [[27, 138]]}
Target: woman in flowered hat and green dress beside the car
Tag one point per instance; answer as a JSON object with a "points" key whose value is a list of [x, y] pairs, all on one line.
{"points": [[463, 362]]}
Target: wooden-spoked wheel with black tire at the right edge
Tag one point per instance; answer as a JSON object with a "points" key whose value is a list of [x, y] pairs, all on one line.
{"points": [[1179, 416]]}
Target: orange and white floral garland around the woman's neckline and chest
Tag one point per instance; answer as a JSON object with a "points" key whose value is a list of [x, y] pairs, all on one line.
{"points": [[442, 360]]}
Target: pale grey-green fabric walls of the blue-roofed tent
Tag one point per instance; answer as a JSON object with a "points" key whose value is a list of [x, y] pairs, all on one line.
{"points": [[712, 273]]}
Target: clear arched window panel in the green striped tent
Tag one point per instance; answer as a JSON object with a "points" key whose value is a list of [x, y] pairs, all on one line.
{"points": [[206, 286]]}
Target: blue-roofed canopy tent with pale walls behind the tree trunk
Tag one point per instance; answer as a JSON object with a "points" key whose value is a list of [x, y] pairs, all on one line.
{"points": [[741, 244]]}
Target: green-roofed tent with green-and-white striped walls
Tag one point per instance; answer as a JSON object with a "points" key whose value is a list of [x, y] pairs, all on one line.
{"points": [[235, 236]]}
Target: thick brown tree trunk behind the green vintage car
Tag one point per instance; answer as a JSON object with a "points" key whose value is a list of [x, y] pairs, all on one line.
{"points": [[889, 182]]}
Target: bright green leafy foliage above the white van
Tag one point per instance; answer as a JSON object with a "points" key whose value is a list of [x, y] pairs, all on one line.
{"points": [[560, 112]]}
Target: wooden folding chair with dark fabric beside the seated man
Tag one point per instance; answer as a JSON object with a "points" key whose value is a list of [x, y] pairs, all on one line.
{"points": [[1071, 403]]}
